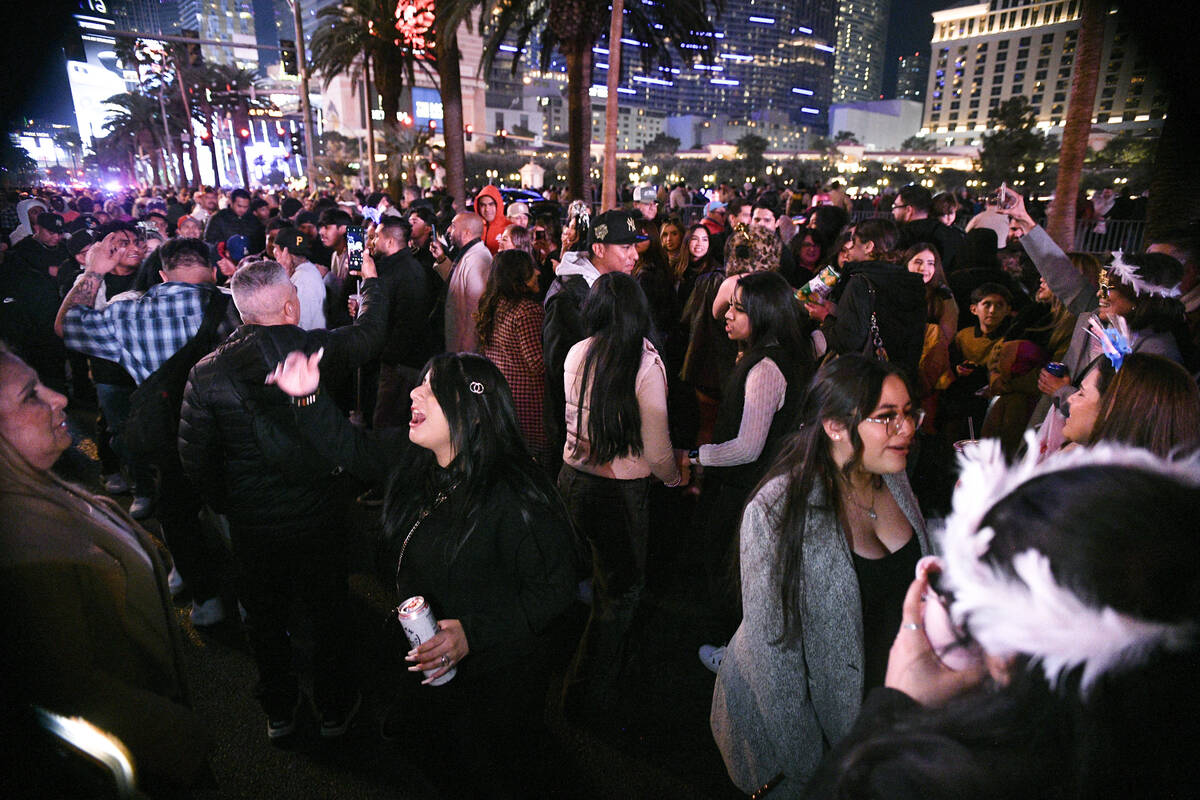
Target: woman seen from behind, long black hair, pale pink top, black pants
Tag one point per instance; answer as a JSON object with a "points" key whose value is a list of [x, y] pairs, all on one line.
{"points": [[616, 440]]}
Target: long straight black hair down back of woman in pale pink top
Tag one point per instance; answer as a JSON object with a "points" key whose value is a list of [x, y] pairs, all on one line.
{"points": [[619, 320]]}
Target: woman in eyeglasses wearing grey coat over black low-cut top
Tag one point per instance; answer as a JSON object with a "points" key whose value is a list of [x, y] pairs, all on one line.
{"points": [[830, 545]]}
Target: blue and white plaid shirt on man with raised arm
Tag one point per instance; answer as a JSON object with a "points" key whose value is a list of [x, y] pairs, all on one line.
{"points": [[141, 334]]}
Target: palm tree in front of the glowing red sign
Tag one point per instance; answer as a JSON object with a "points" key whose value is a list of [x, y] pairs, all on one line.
{"points": [[359, 33]]}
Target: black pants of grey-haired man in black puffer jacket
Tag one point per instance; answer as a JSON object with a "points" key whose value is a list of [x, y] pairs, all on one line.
{"points": [[311, 570]]}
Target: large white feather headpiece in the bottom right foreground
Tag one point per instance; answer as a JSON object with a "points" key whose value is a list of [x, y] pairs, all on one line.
{"points": [[1034, 613]]}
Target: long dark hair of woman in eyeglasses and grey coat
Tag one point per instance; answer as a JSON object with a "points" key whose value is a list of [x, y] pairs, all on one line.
{"points": [[845, 390]]}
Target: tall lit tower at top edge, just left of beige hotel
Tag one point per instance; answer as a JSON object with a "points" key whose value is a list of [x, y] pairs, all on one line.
{"points": [[862, 38]]}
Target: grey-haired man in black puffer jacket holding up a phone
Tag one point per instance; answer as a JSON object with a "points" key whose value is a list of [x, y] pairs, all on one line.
{"points": [[242, 448]]}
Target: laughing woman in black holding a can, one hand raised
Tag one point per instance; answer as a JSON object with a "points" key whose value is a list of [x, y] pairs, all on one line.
{"points": [[476, 528]]}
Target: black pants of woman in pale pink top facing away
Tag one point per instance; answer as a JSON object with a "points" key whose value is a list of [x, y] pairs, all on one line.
{"points": [[613, 518]]}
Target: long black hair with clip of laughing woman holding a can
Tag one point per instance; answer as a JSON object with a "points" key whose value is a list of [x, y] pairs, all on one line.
{"points": [[489, 450]]}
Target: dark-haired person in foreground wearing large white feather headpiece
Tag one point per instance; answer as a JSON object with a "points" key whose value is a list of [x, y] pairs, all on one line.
{"points": [[1060, 672]]}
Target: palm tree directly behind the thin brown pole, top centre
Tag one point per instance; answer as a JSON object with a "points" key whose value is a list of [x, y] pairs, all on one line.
{"points": [[574, 28]]}
